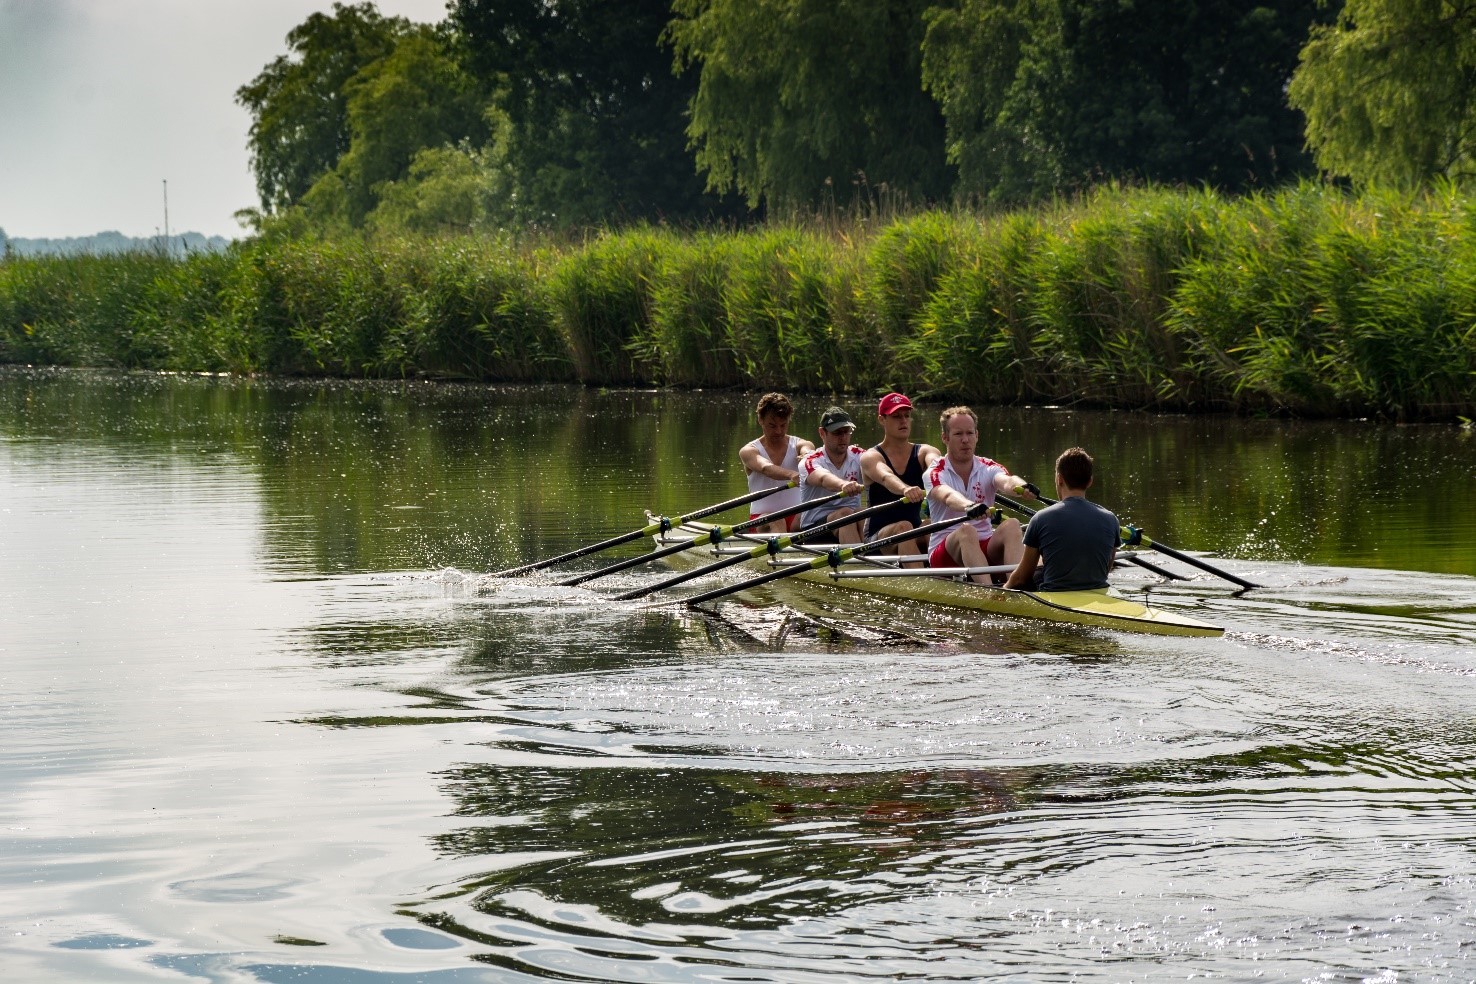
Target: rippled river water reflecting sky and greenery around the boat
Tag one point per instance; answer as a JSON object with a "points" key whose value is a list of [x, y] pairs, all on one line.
{"points": [[265, 719]]}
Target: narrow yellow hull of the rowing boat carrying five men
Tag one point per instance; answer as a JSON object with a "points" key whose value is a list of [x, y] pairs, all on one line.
{"points": [[1097, 609]]}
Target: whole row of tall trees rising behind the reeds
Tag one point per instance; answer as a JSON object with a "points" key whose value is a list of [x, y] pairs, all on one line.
{"points": [[569, 114]]}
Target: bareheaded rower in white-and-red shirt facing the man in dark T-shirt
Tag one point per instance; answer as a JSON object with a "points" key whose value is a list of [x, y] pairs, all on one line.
{"points": [[959, 480]]}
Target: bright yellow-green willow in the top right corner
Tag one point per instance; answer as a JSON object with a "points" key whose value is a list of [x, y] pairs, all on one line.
{"points": [[1390, 91]]}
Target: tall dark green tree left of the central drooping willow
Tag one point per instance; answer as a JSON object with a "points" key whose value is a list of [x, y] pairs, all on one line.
{"points": [[594, 114]]}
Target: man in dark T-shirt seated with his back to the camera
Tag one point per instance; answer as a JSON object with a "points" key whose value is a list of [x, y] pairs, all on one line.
{"points": [[1078, 539]]}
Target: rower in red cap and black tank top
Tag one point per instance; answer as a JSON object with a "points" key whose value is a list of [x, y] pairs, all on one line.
{"points": [[889, 483]]}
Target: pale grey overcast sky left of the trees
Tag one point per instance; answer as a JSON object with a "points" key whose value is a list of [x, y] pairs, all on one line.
{"points": [[103, 101]]}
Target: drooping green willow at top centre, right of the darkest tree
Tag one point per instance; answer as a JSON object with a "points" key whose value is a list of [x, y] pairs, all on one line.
{"points": [[799, 100]]}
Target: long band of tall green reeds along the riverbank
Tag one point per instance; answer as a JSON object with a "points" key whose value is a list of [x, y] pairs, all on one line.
{"points": [[1304, 300]]}
